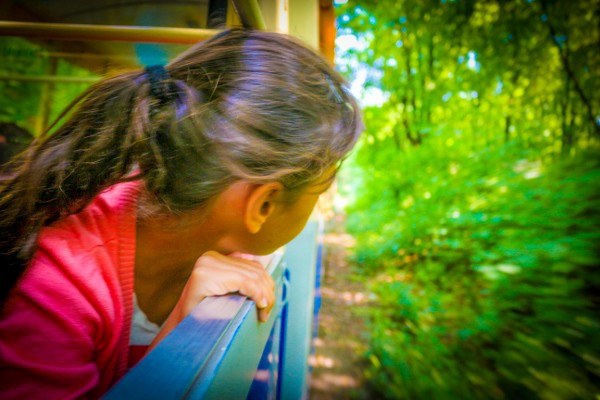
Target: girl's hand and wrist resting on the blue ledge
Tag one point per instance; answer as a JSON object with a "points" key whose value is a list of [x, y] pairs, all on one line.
{"points": [[215, 274]]}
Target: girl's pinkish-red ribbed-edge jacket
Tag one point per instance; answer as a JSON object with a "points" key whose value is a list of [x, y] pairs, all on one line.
{"points": [[64, 332]]}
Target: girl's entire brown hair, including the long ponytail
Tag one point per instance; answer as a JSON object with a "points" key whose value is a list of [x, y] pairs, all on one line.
{"points": [[246, 105]]}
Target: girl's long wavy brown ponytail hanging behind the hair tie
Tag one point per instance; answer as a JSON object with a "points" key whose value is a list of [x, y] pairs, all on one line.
{"points": [[103, 139]]}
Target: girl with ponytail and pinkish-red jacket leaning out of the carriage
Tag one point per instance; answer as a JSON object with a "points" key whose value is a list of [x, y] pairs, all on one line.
{"points": [[134, 208]]}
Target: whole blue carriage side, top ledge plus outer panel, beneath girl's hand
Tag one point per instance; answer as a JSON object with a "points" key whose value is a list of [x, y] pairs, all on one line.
{"points": [[221, 351]]}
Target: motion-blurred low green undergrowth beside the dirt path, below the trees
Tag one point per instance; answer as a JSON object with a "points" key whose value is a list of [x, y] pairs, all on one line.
{"points": [[486, 275]]}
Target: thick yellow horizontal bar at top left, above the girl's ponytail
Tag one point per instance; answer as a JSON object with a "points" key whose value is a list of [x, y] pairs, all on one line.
{"points": [[138, 34]]}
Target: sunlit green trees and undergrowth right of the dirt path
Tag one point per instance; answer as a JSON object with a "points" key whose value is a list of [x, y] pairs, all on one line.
{"points": [[474, 195]]}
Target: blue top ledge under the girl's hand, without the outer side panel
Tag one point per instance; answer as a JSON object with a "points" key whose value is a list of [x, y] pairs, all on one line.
{"points": [[212, 354]]}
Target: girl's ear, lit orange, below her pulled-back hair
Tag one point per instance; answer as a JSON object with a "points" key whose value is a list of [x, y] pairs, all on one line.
{"points": [[260, 205]]}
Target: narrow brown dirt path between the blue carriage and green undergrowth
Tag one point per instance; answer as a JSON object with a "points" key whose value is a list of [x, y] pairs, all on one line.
{"points": [[341, 340]]}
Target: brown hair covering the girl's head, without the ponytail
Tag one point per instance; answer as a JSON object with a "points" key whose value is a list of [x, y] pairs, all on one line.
{"points": [[247, 105]]}
